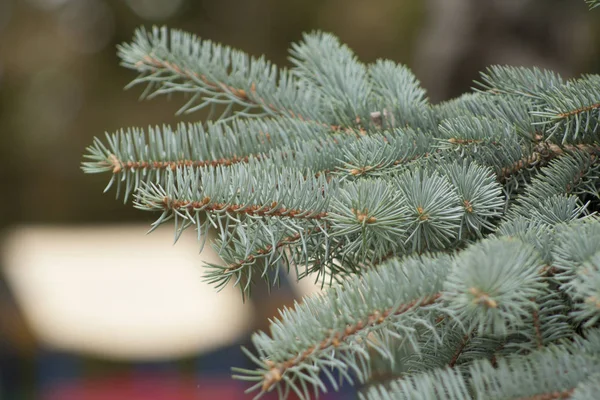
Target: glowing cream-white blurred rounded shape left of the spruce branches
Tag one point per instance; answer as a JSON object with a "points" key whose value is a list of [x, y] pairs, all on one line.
{"points": [[114, 292]]}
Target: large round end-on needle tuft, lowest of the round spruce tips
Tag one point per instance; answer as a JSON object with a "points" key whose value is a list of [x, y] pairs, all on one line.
{"points": [[476, 297]]}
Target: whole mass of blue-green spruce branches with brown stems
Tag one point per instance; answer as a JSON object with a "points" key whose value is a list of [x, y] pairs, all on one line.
{"points": [[345, 172]]}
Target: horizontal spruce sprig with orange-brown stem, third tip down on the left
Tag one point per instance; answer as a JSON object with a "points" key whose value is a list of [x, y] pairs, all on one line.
{"points": [[227, 193]]}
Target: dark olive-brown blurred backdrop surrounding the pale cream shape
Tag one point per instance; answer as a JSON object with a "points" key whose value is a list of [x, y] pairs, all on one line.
{"points": [[61, 85]]}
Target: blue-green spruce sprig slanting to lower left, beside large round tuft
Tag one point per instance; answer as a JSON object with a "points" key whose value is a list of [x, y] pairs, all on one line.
{"points": [[318, 333]]}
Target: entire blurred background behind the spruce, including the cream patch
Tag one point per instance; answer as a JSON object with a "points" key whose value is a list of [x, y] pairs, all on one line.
{"points": [[90, 307]]}
